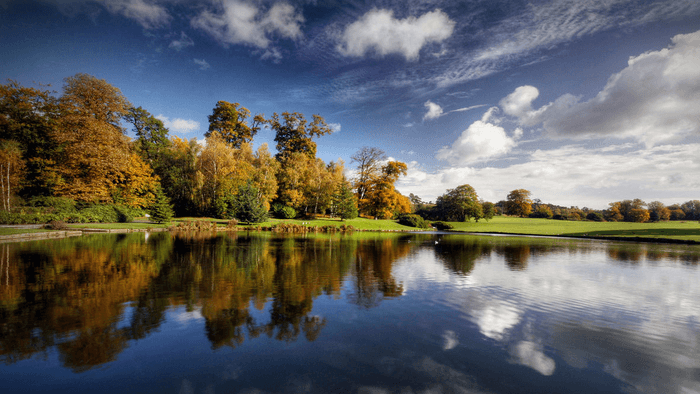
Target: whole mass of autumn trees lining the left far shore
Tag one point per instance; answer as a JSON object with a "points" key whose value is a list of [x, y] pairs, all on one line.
{"points": [[75, 147]]}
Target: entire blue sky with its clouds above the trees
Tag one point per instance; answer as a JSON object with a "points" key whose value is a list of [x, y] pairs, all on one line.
{"points": [[582, 102]]}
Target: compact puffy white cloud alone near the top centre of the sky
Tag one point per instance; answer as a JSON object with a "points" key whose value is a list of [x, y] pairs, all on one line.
{"points": [[378, 30]]}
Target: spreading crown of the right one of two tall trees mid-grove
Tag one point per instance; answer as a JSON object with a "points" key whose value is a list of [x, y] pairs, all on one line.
{"points": [[293, 133]]}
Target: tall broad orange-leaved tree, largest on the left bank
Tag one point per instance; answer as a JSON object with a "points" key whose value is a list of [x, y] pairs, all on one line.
{"points": [[95, 147]]}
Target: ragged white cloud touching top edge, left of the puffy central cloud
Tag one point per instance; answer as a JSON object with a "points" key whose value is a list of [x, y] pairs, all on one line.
{"points": [[242, 22]]}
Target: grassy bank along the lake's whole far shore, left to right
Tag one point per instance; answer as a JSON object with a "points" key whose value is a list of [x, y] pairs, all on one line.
{"points": [[687, 232]]}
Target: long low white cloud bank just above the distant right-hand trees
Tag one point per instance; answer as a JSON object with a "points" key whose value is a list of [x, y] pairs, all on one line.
{"points": [[574, 175]]}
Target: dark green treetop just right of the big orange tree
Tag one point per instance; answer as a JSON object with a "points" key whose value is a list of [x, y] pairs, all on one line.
{"points": [[151, 137]]}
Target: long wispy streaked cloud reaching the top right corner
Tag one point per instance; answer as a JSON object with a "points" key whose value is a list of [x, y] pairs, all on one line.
{"points": [[544, 25]]}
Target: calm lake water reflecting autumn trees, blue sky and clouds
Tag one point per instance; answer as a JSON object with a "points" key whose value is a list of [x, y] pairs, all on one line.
{"points": [[367, 313]]}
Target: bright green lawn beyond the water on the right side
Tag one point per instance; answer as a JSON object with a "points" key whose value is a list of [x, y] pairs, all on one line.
{"points": [[682, 230]]}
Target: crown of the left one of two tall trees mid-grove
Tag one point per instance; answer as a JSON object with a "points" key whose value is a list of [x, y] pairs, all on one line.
{"points": [[230, 121]]}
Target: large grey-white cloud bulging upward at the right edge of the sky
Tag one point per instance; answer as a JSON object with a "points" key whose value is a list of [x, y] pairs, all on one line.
{"points": [[654, 99]]}
